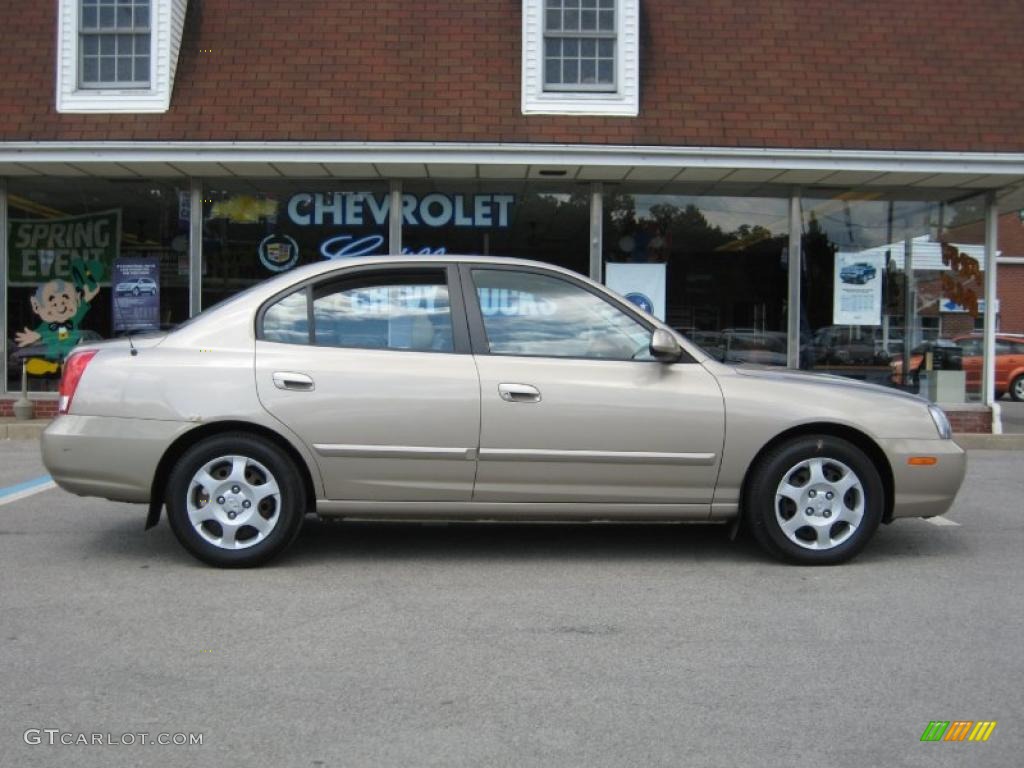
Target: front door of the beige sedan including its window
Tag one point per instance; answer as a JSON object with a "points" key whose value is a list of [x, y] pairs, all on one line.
{"points": [[574, 409]]}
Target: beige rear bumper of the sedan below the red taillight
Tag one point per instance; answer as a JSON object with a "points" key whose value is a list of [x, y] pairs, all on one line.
{"points": [[108, 457]]}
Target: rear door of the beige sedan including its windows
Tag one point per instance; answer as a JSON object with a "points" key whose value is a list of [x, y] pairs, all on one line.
{"points": [[371, 368]]}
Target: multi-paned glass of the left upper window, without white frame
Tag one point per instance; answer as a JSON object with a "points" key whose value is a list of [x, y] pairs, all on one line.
{"points": [[115, 45]]}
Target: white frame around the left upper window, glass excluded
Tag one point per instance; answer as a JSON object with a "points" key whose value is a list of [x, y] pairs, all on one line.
{"points": [[166, 25]]}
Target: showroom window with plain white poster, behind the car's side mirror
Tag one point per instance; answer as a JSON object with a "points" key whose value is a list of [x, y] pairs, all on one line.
{"points": [[714, 268]]}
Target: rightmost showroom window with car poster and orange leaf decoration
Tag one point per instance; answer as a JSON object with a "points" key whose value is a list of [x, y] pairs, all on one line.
{"points": [[892, 290]]}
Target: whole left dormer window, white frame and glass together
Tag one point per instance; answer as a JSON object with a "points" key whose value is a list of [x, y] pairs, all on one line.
{"points": [[118, 56]]}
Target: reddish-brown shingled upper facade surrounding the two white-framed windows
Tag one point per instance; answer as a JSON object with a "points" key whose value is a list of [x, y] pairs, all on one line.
{"points": [[878, 75]]}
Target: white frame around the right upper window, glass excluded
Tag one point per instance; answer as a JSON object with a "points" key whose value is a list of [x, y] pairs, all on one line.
{"points": [[624, 102]]}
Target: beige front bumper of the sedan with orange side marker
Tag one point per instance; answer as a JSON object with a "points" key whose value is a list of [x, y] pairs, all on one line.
{"points": [[930, 490]]}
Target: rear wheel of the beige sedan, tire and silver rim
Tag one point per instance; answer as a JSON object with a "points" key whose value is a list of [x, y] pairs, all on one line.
{"points": [[261, 462]]}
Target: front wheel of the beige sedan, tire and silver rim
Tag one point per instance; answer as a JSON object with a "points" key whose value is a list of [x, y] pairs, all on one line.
{"points": [[770, 514]]}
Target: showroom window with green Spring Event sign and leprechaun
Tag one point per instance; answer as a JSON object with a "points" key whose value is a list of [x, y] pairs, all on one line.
{"points": [[91, 261]]}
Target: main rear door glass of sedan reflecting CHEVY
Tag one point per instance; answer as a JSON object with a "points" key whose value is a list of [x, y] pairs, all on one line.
{"points": [[390, 313]]}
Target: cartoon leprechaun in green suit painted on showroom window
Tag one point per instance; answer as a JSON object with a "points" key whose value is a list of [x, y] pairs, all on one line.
{"points": [[61, 305]]}
